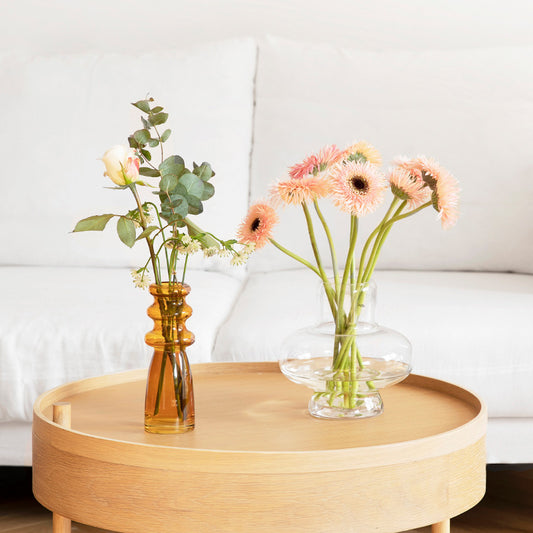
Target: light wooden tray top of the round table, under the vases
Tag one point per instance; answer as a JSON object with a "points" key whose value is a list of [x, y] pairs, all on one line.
{"points": [[246, 408]]}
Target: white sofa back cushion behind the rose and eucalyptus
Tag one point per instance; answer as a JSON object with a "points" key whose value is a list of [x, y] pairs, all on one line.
{"points": [[61, 113]]}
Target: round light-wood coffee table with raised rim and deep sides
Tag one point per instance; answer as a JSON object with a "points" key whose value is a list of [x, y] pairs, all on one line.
{"points": [[257, 461]]}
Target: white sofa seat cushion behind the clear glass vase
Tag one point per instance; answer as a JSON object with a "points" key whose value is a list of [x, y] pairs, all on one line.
{"points": [[471, 329]]}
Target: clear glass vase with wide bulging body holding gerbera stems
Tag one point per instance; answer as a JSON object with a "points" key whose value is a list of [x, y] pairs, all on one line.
{"points": [[347, 361]]}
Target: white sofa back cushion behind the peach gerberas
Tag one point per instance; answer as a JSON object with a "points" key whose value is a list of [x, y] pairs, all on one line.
{"points": [[469, 109]]}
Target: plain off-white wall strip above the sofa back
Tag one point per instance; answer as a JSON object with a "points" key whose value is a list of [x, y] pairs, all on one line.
{"points": [[53, 26]]}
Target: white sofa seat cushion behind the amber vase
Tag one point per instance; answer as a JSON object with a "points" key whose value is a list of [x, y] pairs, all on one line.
{"points": [[63, 324]]}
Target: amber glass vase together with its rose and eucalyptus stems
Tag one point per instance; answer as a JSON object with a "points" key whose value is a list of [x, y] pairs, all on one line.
{"points": [[171, 237]]}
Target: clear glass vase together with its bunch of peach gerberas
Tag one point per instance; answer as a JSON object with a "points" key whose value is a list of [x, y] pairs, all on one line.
{"points": [[347, 377]]}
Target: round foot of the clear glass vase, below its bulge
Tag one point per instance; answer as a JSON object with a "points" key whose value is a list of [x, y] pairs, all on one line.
{"points": [[363, 406]]}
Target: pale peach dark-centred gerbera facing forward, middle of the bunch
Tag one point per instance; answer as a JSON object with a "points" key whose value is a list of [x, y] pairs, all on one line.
{"points": [[357, 188]]}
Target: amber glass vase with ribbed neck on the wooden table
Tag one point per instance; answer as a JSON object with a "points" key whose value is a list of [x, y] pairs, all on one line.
{"points": [[169, 404]]}
